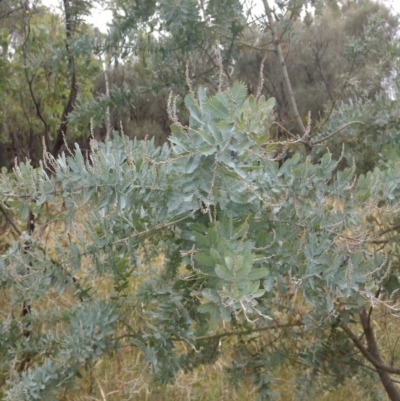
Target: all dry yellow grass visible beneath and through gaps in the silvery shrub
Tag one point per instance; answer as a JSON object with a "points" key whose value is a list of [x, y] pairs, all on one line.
{"points": [[124, 375]]}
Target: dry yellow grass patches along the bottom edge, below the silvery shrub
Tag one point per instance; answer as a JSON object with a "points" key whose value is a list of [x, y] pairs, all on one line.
{"points": [[124, 377]]}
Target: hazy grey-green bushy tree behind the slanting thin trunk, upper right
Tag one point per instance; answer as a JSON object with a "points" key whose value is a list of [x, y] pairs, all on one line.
{"points": [[330, 56]]}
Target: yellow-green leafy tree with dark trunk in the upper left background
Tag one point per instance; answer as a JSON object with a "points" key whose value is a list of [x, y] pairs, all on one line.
{"points": [[49, 58]]}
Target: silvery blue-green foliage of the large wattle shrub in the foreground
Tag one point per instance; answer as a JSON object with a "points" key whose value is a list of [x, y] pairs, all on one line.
{"points": [[238, 233]]}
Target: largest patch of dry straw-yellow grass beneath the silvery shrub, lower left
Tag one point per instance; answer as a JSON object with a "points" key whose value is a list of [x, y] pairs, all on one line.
{"points": [[124, 378]]}
